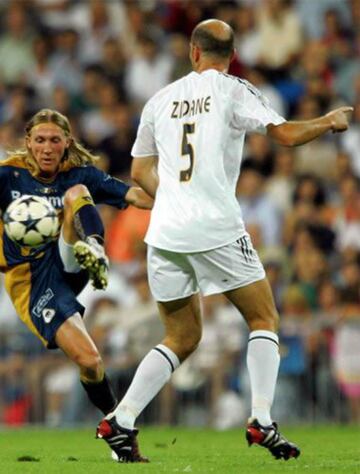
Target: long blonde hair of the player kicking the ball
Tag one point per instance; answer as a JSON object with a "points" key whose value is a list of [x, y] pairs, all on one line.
{"points": [[75, 155]]}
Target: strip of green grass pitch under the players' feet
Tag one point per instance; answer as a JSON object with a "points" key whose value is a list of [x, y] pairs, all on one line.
{"points": [[325, 449]]}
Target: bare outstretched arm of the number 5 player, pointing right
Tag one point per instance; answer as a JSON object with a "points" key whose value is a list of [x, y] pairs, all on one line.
{"points": [[298, 133]]}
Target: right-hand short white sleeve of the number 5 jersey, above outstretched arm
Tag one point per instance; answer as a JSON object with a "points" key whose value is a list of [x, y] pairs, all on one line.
{"points": [[252, 111]]}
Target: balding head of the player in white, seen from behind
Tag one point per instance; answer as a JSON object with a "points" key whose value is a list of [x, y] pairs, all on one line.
{"points": [[214, 37]]}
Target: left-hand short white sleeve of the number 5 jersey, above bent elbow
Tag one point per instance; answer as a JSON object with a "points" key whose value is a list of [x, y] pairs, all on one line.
{"points": [[145, 144]]}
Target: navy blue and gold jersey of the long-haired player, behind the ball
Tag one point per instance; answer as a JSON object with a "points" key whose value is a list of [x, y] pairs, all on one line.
{"points": [[16, 180]]}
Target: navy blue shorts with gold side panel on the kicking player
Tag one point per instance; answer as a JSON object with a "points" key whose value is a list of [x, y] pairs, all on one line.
{"points": [[44, 295]]}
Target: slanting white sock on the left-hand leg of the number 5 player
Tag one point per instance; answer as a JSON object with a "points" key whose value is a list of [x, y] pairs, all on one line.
{"points": [[152, 374]]}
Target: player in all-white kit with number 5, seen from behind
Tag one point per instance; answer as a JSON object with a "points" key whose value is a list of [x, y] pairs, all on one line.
{"points": [[187, 155]]}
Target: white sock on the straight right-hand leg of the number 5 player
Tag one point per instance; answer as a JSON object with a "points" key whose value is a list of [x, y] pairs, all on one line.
{"points": [[263, 360]]}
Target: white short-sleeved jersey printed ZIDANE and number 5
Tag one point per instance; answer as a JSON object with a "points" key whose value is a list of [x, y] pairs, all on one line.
{"points": [[196, 126]]}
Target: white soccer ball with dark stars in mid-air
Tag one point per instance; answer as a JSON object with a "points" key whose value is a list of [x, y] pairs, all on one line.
{"points": [[31, 221]]}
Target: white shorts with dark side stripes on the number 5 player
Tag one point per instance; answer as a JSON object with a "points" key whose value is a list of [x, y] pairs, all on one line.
{"points": [[175, 275]]}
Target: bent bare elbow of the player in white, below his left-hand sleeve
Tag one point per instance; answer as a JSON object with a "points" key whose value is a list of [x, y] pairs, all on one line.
{"points": [[144, 173]]}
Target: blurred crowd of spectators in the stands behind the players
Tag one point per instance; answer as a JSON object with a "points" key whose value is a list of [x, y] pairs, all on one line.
{"points": [[98, 61]]}
